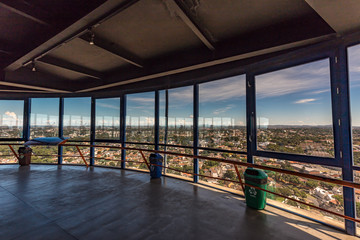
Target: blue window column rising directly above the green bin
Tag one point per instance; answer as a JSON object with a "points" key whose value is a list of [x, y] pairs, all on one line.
{"points": [[250, 117]]}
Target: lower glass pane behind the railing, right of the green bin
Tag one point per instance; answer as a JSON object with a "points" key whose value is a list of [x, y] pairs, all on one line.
{"points": [[326, 195]]}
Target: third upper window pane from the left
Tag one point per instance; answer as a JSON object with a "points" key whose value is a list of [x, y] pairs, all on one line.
{"points": [[77, 112]]}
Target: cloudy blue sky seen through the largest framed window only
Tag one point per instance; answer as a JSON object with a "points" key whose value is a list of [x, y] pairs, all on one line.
{"points": [[295, 96]]}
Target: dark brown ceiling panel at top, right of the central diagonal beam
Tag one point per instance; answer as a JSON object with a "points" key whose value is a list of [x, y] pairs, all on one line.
{"points": [[230, 19]]}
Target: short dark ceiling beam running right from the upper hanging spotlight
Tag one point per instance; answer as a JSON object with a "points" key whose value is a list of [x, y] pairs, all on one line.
{"points": [[115, 50]]}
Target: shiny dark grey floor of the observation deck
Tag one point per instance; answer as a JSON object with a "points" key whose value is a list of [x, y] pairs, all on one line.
{"points": [[70, 202]]}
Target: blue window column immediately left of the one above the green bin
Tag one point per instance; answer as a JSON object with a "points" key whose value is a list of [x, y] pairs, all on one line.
{"points": [[196, 131]]}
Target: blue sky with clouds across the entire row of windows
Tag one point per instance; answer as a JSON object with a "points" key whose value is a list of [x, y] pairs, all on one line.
{"points": [[295, 96]]}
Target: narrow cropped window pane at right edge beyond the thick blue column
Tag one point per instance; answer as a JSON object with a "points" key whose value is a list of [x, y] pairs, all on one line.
{"points": [[354, 75]]}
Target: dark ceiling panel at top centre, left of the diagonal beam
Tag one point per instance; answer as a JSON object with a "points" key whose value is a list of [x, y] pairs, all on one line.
{"points": [[148, 29]]}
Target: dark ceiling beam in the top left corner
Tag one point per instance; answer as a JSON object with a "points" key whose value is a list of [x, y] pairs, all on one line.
{"points": [[24, 11]]}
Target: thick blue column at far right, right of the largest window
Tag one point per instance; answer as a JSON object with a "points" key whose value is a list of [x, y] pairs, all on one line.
{"points": [[339, 64]]}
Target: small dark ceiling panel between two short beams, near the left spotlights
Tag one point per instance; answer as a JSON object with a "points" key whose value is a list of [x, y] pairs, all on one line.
{"points": [[82, 53]]}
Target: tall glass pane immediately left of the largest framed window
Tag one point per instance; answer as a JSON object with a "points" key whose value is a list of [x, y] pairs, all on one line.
{"points": [[222, 114]]}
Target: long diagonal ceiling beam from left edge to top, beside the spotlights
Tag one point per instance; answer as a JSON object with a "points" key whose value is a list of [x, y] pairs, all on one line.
{"points": [[96, 17]]}
